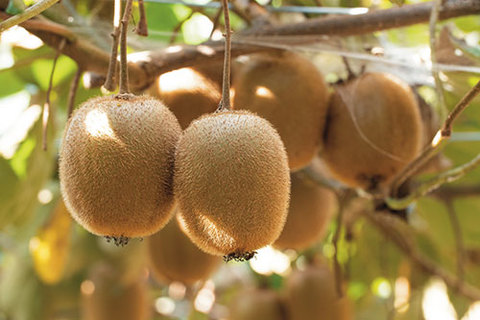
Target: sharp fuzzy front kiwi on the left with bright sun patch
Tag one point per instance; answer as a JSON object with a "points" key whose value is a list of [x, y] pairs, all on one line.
{"points": [[116, 165]]}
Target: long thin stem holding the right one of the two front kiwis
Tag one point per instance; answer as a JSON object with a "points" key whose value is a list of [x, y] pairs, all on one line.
{"points": [[225, 102]]}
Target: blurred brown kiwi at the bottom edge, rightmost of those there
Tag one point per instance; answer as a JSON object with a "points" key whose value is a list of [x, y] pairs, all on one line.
{"points": [[311, 295]]}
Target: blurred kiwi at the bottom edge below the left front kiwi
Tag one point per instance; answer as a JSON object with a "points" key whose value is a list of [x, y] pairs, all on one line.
{"points": [[104, 297]]}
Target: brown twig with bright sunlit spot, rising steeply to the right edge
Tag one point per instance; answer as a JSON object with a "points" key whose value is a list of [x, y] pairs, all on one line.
{"points": [[438, 141]]}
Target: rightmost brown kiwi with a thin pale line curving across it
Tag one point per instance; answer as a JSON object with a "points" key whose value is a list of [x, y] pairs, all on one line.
{"points": [[387, 114]]}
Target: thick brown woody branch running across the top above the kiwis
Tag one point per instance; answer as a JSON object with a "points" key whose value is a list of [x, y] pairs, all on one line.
{"points": [[143, 72]]}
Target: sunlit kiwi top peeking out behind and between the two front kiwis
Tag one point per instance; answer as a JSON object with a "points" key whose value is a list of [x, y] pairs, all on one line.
{"points": [[188, 93]]}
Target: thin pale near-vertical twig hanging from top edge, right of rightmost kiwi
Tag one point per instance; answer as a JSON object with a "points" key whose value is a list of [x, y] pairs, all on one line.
{"points": [[437, 5]]}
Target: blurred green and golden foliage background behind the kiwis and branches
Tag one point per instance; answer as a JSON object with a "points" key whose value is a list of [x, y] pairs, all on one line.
{"points": [[51, 268]]}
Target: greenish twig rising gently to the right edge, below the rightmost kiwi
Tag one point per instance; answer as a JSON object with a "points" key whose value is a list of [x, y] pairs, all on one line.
{"points": [[430, 185]]}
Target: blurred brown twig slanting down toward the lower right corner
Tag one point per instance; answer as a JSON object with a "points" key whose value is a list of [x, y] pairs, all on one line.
{"points": [[388, 225]]}
